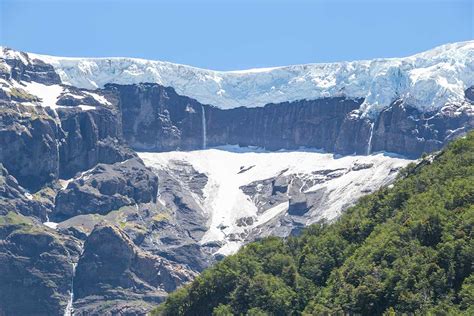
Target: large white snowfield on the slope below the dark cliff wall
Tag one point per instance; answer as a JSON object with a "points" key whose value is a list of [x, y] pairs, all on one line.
{"points": [[224, 202]]}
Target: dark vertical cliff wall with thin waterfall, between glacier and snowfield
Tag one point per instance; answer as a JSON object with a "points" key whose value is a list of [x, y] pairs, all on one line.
{"points": [[157, 118]]}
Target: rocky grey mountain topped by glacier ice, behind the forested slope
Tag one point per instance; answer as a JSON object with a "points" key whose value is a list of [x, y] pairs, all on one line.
{"points": [[125, 166]]}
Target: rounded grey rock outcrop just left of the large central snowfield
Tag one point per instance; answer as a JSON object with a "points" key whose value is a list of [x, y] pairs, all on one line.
{"points": [[106, 188]]}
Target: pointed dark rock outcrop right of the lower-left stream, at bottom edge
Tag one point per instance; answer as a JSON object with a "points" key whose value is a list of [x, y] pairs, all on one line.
{"points": [[112, 267]]}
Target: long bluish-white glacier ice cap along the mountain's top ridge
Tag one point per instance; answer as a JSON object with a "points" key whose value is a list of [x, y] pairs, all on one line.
{"points": [[427, 80]]}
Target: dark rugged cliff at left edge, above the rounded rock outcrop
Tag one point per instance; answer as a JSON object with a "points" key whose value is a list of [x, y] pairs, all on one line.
{"points": [[38, 148]]}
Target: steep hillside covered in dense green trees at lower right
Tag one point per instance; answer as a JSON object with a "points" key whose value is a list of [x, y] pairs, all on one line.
{"points": [[401, 250]]}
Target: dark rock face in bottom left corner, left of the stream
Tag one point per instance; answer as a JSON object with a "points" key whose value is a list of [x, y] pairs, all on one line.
{"points": [[35, 267]]}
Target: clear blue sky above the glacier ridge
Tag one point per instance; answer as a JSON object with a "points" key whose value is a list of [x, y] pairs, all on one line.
{"points": [[228, 34]]}
